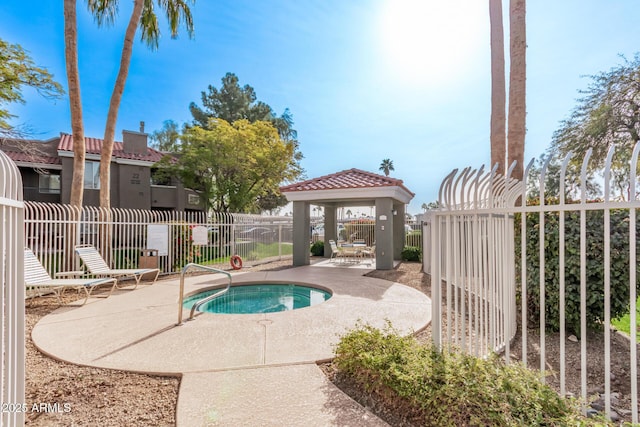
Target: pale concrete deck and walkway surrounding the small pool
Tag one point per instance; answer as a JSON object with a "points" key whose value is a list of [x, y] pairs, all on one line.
{"points": [[237, 370]]}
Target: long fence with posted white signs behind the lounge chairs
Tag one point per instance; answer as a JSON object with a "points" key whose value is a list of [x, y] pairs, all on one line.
{"points": [[167, 239]]}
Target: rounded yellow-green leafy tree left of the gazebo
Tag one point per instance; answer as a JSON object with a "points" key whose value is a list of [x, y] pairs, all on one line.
{"points": [[234, 166]]}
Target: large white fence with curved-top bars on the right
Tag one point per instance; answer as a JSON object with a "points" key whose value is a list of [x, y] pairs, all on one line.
{"points": [[569, 261]]}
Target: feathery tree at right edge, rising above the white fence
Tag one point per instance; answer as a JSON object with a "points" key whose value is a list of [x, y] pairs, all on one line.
{"points": [[607, 114]]}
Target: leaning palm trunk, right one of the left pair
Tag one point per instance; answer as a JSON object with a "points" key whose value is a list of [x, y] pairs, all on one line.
{"points": [[116, 97]]}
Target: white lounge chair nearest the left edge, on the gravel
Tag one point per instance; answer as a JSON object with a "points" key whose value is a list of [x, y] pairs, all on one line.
{"points": [[35, 276]]}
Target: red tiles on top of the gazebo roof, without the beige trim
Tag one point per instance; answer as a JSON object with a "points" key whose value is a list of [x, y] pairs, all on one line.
{"points": [[347, 179]]}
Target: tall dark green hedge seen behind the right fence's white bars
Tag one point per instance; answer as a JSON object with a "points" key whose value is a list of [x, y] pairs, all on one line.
{"points": [[594, 268]]}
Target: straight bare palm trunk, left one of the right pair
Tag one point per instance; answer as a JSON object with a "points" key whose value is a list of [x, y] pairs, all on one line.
{"points": [[498, 91]]}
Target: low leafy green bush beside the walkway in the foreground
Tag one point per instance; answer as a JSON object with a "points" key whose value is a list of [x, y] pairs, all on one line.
{"points": [[434, 388]]}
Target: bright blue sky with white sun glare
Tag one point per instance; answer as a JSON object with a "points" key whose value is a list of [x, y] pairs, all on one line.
{"points": [[365, 80]]}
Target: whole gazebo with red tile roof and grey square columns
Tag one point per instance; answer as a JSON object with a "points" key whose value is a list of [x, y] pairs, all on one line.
{"points": [[353, 187]]}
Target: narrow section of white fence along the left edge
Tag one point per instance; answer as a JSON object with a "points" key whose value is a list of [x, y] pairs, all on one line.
{"points": [[12, 297]]}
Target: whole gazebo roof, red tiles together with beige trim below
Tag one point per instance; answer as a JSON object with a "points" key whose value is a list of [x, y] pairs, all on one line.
{"points": [[353, 187]]}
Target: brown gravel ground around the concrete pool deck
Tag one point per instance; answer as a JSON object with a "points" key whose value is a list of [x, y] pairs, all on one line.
{"points": [[115, 398]]}
